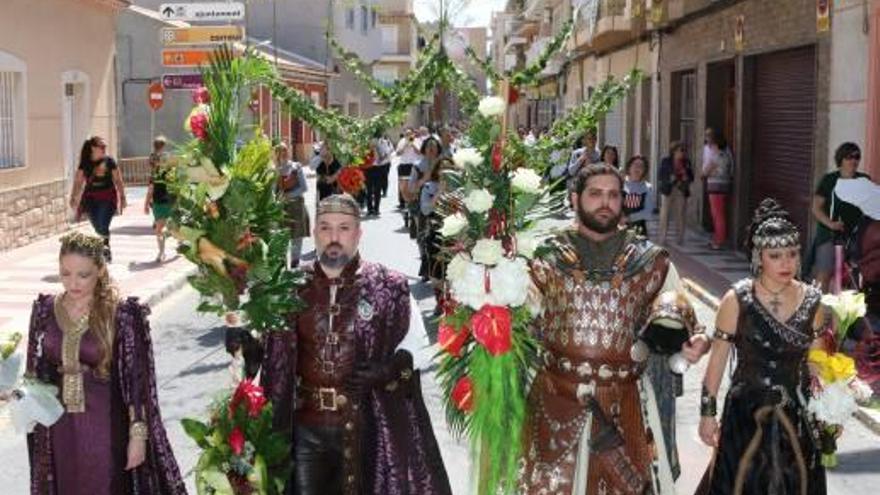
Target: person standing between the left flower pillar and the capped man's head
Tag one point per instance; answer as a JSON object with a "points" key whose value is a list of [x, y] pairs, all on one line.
{"points": [[292, 187]]}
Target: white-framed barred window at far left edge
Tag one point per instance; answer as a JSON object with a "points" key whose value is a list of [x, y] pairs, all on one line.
{"points": [[11, 119]]}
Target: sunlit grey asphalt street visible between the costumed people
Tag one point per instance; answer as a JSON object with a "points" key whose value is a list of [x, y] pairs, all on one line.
{"points": [[192, 369]]}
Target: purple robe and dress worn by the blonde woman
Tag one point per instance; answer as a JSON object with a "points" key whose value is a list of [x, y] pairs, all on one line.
{"points": [[92, 446]]}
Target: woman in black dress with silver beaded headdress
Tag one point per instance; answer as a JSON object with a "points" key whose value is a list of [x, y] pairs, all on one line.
{"points": [[765, 443]]}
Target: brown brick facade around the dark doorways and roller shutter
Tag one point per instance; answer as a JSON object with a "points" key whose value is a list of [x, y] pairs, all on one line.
{"points": [[693, 43]]}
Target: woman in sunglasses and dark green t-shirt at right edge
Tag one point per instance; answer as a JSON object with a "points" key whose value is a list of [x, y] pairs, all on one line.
{"points": [[834, 217]]}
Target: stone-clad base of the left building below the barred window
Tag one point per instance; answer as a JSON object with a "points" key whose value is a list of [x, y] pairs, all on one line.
{"points": [[31, 213]]}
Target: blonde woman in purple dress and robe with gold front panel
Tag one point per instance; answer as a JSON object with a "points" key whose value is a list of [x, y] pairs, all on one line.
{"points": [[96, 348]]}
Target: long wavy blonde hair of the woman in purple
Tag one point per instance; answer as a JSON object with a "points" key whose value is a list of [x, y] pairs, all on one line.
{"points": [[105, 298]]}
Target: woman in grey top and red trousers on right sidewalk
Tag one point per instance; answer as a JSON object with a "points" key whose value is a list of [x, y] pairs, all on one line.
{"points": [[717, 171]]}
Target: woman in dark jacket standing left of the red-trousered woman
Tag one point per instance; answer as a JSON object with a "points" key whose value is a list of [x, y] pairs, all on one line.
{"points": [[675, 177]]}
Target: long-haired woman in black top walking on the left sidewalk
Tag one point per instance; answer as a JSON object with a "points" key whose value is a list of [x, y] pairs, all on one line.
{"points": [[98, 190]]}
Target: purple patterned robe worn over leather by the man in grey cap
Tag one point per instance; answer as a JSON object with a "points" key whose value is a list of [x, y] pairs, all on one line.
{"points": [[399, 453]]}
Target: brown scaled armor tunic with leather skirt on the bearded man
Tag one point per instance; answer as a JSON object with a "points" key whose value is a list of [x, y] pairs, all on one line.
{"points": [[593, 309]]}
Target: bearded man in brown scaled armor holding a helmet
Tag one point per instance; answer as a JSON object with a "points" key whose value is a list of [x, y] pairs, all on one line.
{"points": [[593, 424]]}
